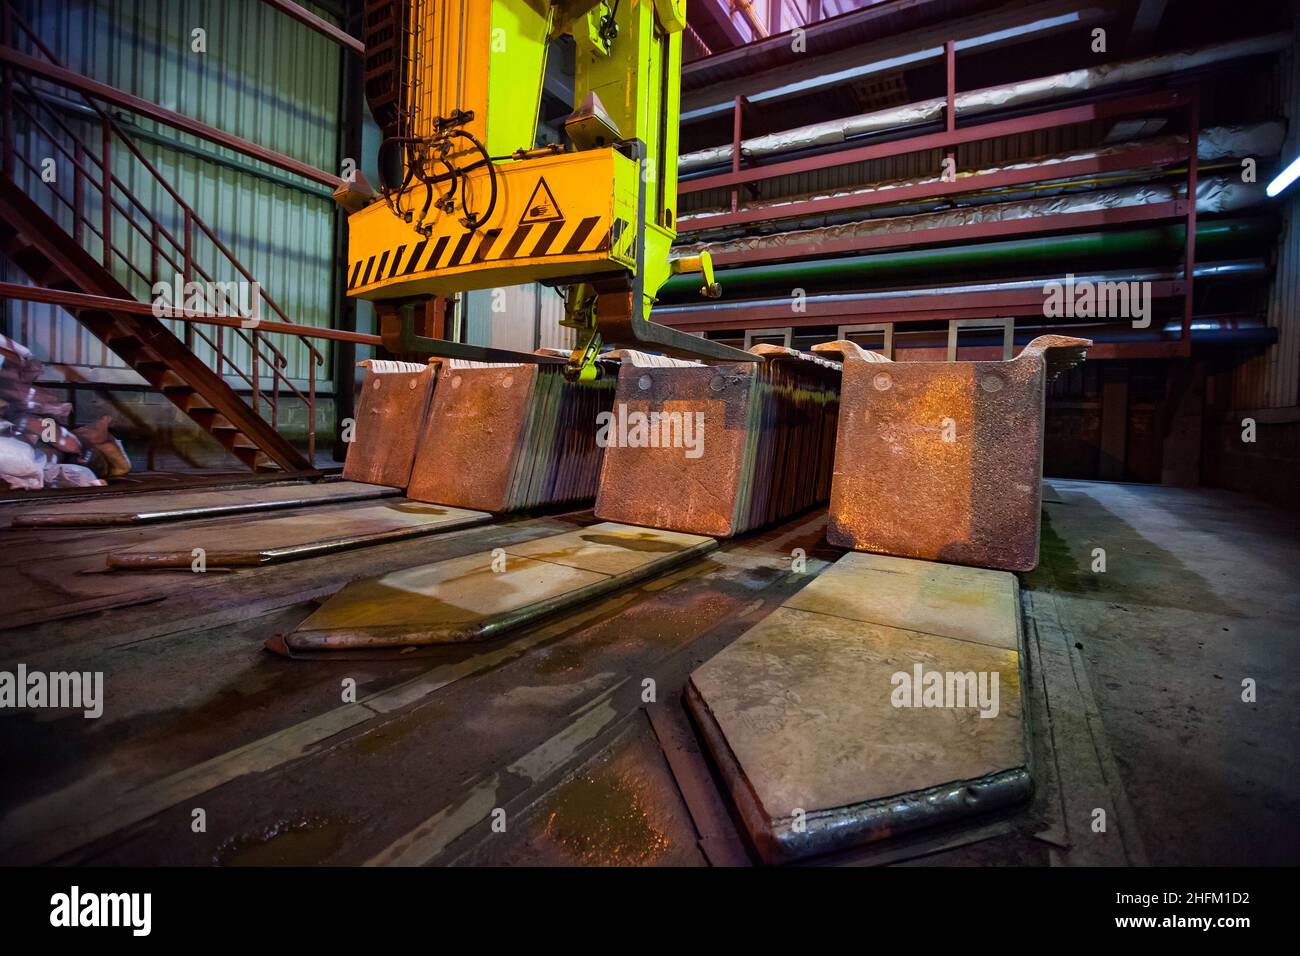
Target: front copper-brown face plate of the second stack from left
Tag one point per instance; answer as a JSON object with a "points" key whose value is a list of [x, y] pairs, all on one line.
{"points": [[471, 438]]}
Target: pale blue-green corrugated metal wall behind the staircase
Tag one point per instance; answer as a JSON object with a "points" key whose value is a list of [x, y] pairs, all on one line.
{"points": [[265, 77]]}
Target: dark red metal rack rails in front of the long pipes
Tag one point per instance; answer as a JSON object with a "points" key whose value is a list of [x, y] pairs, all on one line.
{"points": [[742, 175]]}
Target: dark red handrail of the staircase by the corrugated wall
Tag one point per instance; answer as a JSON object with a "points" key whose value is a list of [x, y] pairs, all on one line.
{"points": [[101, 200]]}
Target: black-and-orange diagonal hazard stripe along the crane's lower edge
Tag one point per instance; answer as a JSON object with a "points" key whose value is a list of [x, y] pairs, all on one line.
{"points": [[526, 241]]}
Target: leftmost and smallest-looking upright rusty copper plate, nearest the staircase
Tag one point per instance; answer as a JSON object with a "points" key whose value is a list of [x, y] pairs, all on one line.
{"points": [[392, 408]]}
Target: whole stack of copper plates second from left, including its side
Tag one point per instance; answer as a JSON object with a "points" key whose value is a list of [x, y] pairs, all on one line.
{"points": [[505, 438]]}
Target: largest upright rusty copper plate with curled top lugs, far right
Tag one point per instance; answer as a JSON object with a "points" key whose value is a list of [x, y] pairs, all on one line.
{"points": [[944, 460]]}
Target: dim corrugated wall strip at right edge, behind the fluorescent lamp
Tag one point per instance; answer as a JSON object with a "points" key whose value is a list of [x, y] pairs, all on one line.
{"points": [[1272, 380]]}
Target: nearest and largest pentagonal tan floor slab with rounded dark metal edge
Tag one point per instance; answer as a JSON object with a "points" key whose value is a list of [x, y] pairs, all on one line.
{"points": [[805, 726]]}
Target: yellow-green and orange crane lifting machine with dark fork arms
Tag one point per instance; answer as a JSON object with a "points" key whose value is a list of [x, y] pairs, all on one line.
{"points": [[467, 202]]}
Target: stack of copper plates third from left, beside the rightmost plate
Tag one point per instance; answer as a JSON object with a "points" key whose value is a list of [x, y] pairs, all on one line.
{"points": [[733, 447]]}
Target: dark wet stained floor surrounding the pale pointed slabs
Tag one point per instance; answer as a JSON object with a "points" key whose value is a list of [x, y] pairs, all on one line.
{"points": [[538, 749]]}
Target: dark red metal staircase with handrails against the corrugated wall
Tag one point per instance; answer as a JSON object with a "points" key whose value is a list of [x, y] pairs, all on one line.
{"points": [[90, 235]]}
